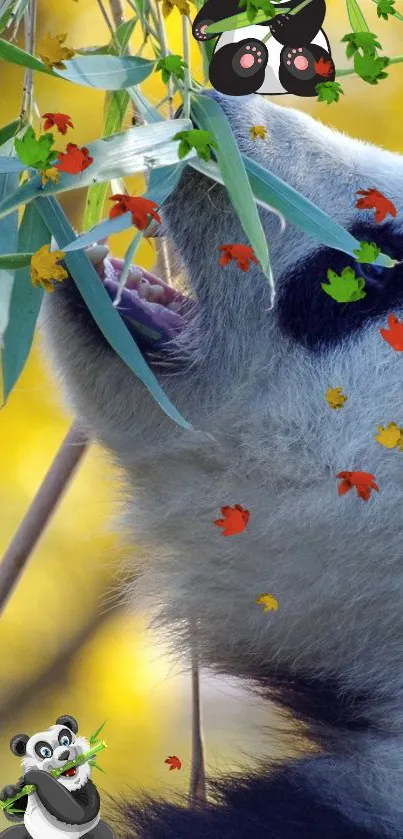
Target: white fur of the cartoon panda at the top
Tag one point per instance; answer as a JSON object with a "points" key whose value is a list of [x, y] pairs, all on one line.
{"points": [[271, 84]]}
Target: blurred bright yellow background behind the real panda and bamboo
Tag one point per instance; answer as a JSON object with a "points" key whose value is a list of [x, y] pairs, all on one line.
{"points": [[64, 649]]}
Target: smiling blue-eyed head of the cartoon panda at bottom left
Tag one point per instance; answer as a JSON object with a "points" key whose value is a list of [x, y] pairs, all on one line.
{"points": [[51, 749]]}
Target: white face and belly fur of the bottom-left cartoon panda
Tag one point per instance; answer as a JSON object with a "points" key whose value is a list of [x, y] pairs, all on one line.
{"points": [[39, 823]]}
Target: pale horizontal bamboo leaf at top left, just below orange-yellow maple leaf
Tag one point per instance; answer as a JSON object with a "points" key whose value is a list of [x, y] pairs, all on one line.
{"points": [[105, 72]]}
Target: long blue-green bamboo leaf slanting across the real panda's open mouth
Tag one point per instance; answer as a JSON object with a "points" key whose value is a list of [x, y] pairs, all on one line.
{"points": [[101, 308]]}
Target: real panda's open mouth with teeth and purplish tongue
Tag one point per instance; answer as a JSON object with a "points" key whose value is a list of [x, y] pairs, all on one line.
{"points": [[153, 311]]}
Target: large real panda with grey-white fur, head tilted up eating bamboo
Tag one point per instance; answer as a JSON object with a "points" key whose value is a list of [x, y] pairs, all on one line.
{"points": [[252, 381]]}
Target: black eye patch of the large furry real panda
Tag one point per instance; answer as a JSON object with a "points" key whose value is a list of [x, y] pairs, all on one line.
{"points": [[314, 319]]}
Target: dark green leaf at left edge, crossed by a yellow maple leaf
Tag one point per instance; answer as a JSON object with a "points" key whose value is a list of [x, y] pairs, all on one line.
{"points": [[25, 302]]}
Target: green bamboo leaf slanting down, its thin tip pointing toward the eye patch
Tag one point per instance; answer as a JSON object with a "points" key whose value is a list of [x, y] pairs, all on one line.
{"points": [[210, 116]]}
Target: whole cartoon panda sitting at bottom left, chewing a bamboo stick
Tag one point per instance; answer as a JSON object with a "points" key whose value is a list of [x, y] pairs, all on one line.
{"points": [[66, 807]]}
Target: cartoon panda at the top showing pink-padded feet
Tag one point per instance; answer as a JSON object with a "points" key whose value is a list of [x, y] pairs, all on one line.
{"points": [[289, 53]]}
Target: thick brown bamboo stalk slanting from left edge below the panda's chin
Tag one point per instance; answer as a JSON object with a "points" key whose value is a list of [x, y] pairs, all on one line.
{"points": [[42, 507]]}
